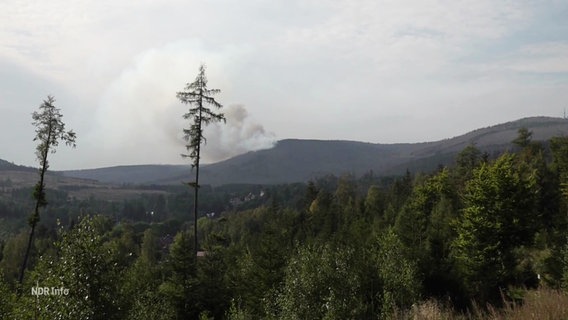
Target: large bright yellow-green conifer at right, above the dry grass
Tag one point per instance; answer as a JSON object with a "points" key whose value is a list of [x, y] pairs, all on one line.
{"points": [[497, 217]]}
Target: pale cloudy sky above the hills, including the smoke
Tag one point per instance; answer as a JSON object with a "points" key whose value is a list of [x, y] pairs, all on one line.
{"points": [[380, 71]]}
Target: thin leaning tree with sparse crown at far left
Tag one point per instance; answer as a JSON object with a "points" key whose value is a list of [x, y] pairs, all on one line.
{"points": [[50, 130]]}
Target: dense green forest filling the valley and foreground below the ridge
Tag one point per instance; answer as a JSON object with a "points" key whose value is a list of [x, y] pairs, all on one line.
{"points": [[470, 240]]}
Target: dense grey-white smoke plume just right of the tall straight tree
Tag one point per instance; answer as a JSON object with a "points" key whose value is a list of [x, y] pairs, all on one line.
{"points": [[238, 135]]}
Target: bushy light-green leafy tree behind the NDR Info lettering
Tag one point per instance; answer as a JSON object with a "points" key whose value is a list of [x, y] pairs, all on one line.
{"points": [[83, 266]]}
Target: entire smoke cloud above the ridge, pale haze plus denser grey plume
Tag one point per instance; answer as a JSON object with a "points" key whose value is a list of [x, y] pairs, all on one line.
{"points": [[140, 118]]}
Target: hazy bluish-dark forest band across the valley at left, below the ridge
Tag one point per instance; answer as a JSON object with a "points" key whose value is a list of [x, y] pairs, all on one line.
{"points": [[139, 204]]}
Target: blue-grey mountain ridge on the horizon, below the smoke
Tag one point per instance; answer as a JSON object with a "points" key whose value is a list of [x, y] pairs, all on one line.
{"points": [[294, 160]]}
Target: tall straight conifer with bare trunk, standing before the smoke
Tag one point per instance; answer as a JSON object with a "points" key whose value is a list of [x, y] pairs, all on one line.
{"points": [[198, 96]]}
